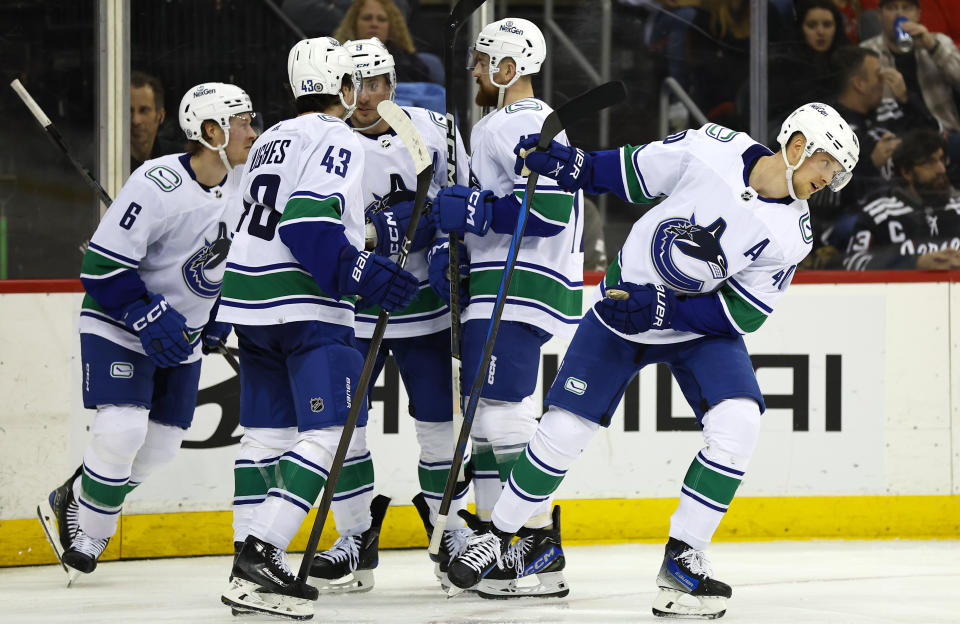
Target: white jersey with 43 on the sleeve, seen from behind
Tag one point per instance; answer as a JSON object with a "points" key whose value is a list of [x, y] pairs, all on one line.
{"points": [[306, 168]]}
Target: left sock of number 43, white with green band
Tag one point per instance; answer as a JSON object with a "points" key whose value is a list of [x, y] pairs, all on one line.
{"points": [[254, 472]]}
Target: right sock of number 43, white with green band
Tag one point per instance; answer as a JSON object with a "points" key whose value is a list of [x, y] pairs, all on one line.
{"points": [[301, 473]]}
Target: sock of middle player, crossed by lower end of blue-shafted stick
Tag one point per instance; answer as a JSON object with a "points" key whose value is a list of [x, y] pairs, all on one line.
{"points": [[436, 455]]}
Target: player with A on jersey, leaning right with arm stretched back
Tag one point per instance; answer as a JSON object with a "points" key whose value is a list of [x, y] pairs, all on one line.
{"points": [[706, 265]]}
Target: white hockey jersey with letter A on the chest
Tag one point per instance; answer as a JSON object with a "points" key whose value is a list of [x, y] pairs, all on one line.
{"points": [[712, 231]]}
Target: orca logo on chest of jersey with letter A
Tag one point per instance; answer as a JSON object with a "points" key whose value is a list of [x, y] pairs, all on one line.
{"points": [[699, 243]]}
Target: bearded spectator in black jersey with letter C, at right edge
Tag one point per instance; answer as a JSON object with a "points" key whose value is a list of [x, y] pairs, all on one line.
{"points": [[916, 224]]}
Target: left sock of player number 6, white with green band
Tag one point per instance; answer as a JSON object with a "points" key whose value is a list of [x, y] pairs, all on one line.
{"points": [[118, 433]]}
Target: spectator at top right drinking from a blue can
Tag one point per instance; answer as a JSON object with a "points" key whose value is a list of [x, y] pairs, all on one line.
{"points": [[931, 70]]}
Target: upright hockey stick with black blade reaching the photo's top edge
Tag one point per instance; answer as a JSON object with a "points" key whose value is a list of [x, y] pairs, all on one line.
{"points": [[458, 17]]}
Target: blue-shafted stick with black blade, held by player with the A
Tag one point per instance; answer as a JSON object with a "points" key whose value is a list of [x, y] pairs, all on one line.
{"points": [[595, 99]]}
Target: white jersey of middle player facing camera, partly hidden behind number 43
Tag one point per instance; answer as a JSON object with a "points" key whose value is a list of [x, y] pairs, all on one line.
{"points": [[388, 167]]}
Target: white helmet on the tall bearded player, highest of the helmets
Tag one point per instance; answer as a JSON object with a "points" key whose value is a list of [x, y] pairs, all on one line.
{"points": [[515, 38]]}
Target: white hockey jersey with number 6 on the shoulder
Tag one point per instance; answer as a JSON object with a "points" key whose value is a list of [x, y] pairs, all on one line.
{"points": [[174, 233]]}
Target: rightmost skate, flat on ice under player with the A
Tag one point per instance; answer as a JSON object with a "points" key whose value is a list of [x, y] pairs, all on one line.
{"points": [[686, 573]]}
